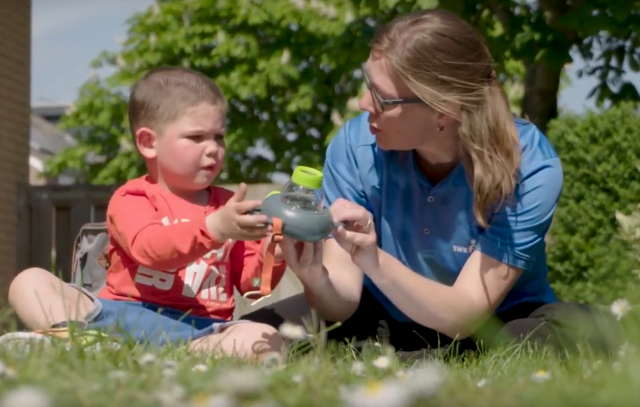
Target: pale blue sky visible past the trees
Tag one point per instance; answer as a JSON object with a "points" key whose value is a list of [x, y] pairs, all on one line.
{"points": [[68, 34]]}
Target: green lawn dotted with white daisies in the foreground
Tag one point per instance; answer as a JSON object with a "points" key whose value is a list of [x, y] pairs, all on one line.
{"points": [[100, 373]]}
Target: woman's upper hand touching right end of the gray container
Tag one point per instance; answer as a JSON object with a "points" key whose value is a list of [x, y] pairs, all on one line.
{"points": [[357, 234]]}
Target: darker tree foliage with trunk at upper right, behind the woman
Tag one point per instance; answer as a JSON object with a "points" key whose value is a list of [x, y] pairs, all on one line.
{"points": [[542, 34]]}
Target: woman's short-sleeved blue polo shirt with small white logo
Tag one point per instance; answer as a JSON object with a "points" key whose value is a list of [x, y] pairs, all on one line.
{"points": [[431, 228]]}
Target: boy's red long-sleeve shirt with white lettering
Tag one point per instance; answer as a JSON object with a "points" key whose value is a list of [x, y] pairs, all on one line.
{"points": [[161, 252]]}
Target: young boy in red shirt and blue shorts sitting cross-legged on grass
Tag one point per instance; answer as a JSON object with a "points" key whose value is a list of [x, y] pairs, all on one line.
{"points": [[178, 245]]}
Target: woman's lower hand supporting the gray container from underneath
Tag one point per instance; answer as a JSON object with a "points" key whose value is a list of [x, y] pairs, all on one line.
{"points": [[304, 259]]}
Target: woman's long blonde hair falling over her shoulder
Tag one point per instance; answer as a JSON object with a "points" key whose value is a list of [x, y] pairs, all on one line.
{"points": [[446, 63]]}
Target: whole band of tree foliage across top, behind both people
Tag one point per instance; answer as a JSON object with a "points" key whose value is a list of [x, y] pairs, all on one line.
{"points": [[290, 69]]}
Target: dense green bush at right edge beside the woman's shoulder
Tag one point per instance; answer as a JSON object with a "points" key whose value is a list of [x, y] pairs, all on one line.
{"points": [[588, 259]]}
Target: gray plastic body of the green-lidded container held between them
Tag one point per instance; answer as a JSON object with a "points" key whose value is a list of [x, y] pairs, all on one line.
{"points": [[299, 224]]}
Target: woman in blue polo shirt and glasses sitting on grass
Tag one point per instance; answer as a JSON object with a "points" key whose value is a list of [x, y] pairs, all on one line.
{"points": [[449, 199]]}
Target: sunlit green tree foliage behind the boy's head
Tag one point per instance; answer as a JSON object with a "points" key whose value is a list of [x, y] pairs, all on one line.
{"points": [[281, 65]]}
